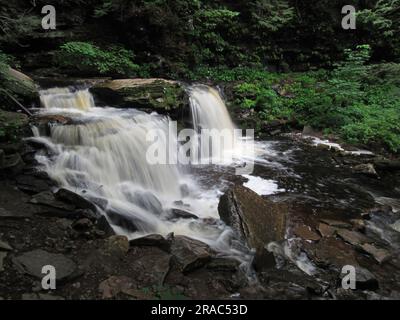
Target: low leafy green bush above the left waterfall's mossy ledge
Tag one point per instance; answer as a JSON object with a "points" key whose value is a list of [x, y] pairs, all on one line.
{"points": [[87, 57]]}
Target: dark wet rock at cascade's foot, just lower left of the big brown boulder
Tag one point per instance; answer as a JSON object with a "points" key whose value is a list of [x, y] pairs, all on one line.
{"points": [[190, 254]]}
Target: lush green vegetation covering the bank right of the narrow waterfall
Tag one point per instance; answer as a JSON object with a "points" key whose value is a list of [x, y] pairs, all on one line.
{"points": [[360, 102]]}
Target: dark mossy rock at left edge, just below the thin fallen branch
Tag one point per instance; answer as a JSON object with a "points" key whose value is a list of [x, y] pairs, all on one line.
{"points": [[13, 125]]}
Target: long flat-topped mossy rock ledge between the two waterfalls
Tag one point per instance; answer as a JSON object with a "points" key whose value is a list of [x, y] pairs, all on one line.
{"points": [[159, 95]]}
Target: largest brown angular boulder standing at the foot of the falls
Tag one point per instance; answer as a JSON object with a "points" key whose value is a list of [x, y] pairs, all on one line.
{"points": [[256, 220]]}
